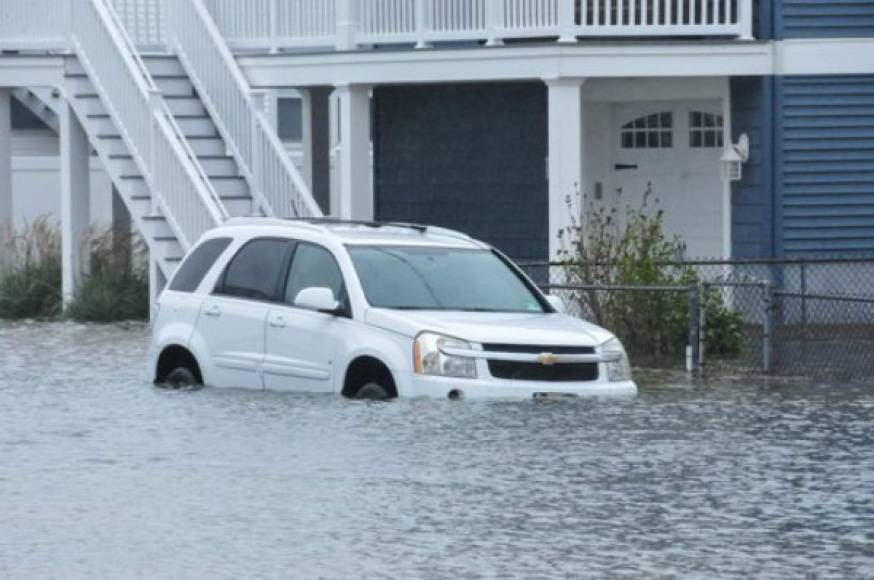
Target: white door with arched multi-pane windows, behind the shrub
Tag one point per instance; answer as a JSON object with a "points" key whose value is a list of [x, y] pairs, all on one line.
{"points": [[673, 150]]}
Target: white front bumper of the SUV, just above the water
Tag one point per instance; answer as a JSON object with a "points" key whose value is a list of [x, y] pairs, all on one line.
{"points": [[422, 386]]}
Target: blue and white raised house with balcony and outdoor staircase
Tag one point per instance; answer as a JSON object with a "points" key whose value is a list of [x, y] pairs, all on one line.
{"points": [[751, 122]]}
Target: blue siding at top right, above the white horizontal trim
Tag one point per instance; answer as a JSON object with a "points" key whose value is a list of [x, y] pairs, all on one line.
{"points": [[824, 18]]}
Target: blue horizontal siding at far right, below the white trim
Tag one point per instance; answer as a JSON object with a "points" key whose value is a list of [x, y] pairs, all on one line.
{"points": [[825, 164]]}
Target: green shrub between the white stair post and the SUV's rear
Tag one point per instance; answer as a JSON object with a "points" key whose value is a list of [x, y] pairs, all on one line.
{"points": [[117, 287]]}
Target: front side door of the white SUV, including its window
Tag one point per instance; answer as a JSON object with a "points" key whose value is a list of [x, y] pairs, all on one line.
{"points": [[302, 344]]}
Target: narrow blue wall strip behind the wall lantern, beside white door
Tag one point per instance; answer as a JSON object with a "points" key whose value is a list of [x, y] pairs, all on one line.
{"points": [[752, 197]]}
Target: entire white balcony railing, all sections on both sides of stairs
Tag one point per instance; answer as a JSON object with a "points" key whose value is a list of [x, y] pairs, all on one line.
{"points": [[351, 24]]}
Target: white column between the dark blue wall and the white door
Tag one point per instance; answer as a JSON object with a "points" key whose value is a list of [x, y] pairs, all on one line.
{"points": [[566, 155]]}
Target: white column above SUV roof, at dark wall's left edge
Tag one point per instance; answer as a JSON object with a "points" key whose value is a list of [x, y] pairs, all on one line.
{"points": [[354, 198]]}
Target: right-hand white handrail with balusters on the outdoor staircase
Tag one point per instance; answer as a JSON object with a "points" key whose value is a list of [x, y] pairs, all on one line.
{"points": [[273, 179]]}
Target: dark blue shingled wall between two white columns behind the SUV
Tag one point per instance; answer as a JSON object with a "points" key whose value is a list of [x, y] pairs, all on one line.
{"points": [[468, 156]]}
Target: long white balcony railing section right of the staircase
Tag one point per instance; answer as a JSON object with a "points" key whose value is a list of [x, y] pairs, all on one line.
{"points": [[349, 24]]}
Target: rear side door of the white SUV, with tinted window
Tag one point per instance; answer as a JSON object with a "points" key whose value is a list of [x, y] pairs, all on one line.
{"points": [[232, 319]]}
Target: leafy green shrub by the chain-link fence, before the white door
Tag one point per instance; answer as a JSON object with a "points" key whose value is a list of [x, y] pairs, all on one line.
{"points": [[631, 249]]}
